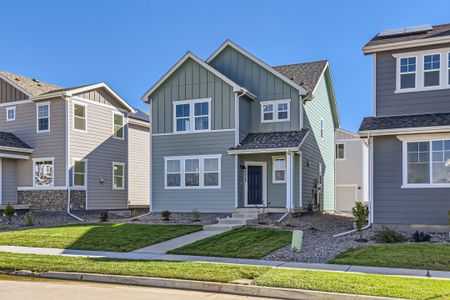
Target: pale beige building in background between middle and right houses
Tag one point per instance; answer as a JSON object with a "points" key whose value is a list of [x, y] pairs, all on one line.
{"points": [[352, 163]]}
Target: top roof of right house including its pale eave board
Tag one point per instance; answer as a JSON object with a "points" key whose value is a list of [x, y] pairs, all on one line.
{"points": [[438, 34]]}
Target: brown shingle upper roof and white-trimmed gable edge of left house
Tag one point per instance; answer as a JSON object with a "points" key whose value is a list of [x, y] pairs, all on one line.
{"points": [[36, 89]]}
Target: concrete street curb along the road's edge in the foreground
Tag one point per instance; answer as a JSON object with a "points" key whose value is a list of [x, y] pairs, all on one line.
{"points": [[204, 286]]}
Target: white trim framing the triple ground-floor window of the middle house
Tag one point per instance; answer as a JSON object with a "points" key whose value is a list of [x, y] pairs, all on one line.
{"points": [[182, 173]]}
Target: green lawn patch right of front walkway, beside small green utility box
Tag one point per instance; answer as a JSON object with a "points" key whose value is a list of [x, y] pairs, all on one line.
{"points": [[242, 243]]}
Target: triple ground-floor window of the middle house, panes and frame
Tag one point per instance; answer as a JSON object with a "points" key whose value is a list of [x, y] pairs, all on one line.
{"points": [[187, 172]]}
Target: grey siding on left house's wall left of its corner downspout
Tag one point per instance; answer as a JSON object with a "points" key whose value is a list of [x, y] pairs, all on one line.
{"points": [[45, 144]]}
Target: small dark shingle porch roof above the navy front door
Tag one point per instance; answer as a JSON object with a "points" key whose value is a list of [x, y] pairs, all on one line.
{"points": [[272, 140]]}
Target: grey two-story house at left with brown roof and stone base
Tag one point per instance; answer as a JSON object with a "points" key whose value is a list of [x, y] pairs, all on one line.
{"points": [[68, 147]]}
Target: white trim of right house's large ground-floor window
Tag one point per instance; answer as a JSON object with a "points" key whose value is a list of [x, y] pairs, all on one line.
{"points": [[430, 184]]}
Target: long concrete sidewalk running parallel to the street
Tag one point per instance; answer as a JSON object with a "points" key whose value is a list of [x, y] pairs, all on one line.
{"points": [[253, 262]]}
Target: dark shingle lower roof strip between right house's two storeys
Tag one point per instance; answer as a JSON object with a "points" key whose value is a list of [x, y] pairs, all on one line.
{"points": [[407, 121]]}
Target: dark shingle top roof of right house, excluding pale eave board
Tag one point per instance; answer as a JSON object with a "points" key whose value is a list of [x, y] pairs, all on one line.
{"points": [[438, 31]]}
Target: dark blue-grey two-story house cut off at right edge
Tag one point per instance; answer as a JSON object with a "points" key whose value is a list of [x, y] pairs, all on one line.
{"points": [[409, 134]]}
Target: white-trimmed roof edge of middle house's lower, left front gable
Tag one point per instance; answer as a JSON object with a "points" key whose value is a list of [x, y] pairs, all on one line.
{"points": [[190, 55]]}
